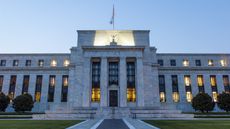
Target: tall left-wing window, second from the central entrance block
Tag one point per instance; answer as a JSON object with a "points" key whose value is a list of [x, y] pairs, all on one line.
{"points": [[51, 89]]}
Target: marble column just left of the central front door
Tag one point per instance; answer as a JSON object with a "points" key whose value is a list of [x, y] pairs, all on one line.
{"points": [[104, 82]]}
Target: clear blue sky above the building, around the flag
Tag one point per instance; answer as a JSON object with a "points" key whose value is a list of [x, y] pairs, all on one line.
{"points": [[177, 26]]}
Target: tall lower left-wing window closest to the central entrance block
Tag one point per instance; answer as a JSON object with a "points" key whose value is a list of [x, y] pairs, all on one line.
{"points": [[65, 83]]}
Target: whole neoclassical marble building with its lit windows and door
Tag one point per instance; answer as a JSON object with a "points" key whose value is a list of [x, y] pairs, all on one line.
{"points": [[113, 70]]}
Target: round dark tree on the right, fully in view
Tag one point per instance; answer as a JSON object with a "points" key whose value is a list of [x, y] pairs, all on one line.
{"points": [[203, 102]]}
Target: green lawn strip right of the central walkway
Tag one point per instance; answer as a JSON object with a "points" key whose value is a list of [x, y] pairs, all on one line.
{"points": [[190, 124]]}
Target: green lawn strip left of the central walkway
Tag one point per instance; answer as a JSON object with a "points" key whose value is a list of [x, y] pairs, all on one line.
{"points": [[37, 124]]}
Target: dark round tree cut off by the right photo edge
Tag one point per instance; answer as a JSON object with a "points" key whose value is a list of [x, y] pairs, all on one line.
{"points": [[224, 101]]}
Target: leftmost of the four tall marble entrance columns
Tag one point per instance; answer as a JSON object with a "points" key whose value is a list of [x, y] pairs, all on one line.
{"points": [[86, 82]]}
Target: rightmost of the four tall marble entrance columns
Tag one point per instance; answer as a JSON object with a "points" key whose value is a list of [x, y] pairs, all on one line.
{"points": [[140, 82]]}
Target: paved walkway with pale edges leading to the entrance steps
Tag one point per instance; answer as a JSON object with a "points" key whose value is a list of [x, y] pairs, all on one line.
{"points": [[113, 124]]}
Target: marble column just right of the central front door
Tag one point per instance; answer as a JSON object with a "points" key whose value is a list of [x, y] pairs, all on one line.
{"points": [[123, 82]]}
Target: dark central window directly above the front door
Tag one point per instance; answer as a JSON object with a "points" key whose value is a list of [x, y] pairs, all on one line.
{"points": [[113, 73]]}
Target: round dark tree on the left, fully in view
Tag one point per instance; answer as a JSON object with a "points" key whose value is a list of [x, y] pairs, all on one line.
{"points": [[23, 103]]}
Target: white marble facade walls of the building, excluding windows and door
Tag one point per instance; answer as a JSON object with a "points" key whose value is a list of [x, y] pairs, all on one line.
{"points": [[133, 44]]}
